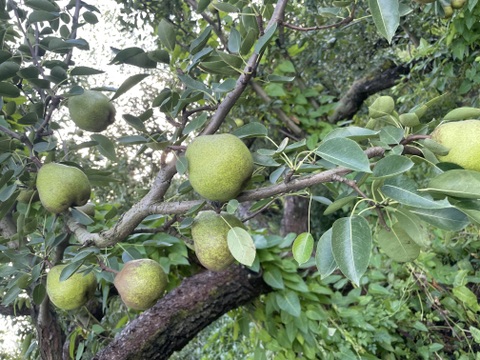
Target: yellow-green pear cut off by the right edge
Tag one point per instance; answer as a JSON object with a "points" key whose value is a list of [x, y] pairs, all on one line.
{"points": [[462, 140]]}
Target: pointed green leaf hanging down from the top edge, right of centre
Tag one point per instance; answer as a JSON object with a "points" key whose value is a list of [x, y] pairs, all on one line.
{"points": [[386, 16]]}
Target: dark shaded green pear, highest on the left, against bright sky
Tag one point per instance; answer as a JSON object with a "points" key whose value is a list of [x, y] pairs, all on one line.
{"points": [[91, 111]]}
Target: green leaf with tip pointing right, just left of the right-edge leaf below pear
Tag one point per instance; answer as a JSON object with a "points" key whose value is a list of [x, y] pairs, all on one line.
{"points": [[404, 191]]}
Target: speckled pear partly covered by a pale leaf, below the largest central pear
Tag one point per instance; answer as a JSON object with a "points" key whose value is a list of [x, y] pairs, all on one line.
{"points": [[209, 234]]}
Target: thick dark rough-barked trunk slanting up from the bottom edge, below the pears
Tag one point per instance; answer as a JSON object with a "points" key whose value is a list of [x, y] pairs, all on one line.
{"points": [[181, 314]]}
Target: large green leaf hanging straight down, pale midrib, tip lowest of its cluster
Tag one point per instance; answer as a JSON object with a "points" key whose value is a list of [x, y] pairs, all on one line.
{"points": [[352, 246]]}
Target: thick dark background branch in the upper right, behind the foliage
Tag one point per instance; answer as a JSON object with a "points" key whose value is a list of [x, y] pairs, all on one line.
{"points": [[361, 89]]}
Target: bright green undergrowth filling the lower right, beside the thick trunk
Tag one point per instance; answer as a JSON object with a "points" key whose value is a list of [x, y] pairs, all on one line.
{"points": [[426, 309]]}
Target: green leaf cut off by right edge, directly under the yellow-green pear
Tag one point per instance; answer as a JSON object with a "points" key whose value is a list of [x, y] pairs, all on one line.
{"points": [[458, 183]]}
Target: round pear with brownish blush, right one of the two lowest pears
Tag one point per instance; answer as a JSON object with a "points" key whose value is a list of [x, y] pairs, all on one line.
{"points": [[141, 283]]}
